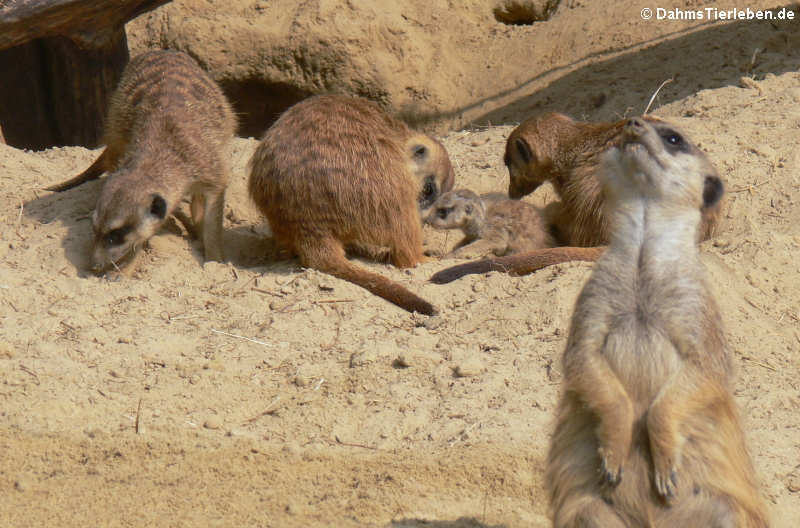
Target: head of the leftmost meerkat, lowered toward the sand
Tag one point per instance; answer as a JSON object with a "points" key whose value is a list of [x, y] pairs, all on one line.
{"points": [[121, 225]]}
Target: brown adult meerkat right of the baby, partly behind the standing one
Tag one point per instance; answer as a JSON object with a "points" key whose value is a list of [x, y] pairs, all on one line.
{"points": [[555, 148]]}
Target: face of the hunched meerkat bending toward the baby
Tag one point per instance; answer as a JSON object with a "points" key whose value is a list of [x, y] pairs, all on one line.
{"points": [[431, 166]]}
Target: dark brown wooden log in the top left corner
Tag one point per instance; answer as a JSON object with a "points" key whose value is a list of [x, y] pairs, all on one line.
{"points": [[59, 62]]}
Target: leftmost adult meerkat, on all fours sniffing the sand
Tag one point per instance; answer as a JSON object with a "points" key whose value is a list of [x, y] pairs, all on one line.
{"points": [[167, 134]]}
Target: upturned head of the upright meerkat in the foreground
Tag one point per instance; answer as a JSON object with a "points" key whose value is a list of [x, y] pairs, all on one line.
{"points": [[659, 161]]}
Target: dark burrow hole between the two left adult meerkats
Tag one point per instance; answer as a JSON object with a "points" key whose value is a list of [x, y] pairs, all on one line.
{"points": [[258, 104]]}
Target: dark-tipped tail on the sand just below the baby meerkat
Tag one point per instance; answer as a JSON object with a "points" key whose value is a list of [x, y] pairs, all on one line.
{"points": [[520, 264]]}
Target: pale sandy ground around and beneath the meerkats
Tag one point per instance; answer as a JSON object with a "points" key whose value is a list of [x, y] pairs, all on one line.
{"points": [[255, 393]]}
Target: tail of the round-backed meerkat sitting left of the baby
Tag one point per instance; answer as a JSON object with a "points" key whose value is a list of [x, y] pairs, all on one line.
{"points": [[329, 256]]}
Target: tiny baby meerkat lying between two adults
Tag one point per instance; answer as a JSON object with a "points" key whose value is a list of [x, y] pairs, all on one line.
{"points": [[490, 226]]}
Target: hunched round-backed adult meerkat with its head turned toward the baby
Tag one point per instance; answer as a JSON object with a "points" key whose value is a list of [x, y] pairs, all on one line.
{"points": [[335, 173]]}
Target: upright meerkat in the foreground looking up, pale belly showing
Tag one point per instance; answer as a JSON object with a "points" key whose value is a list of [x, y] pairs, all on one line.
{"points": [[647, 431]]}
